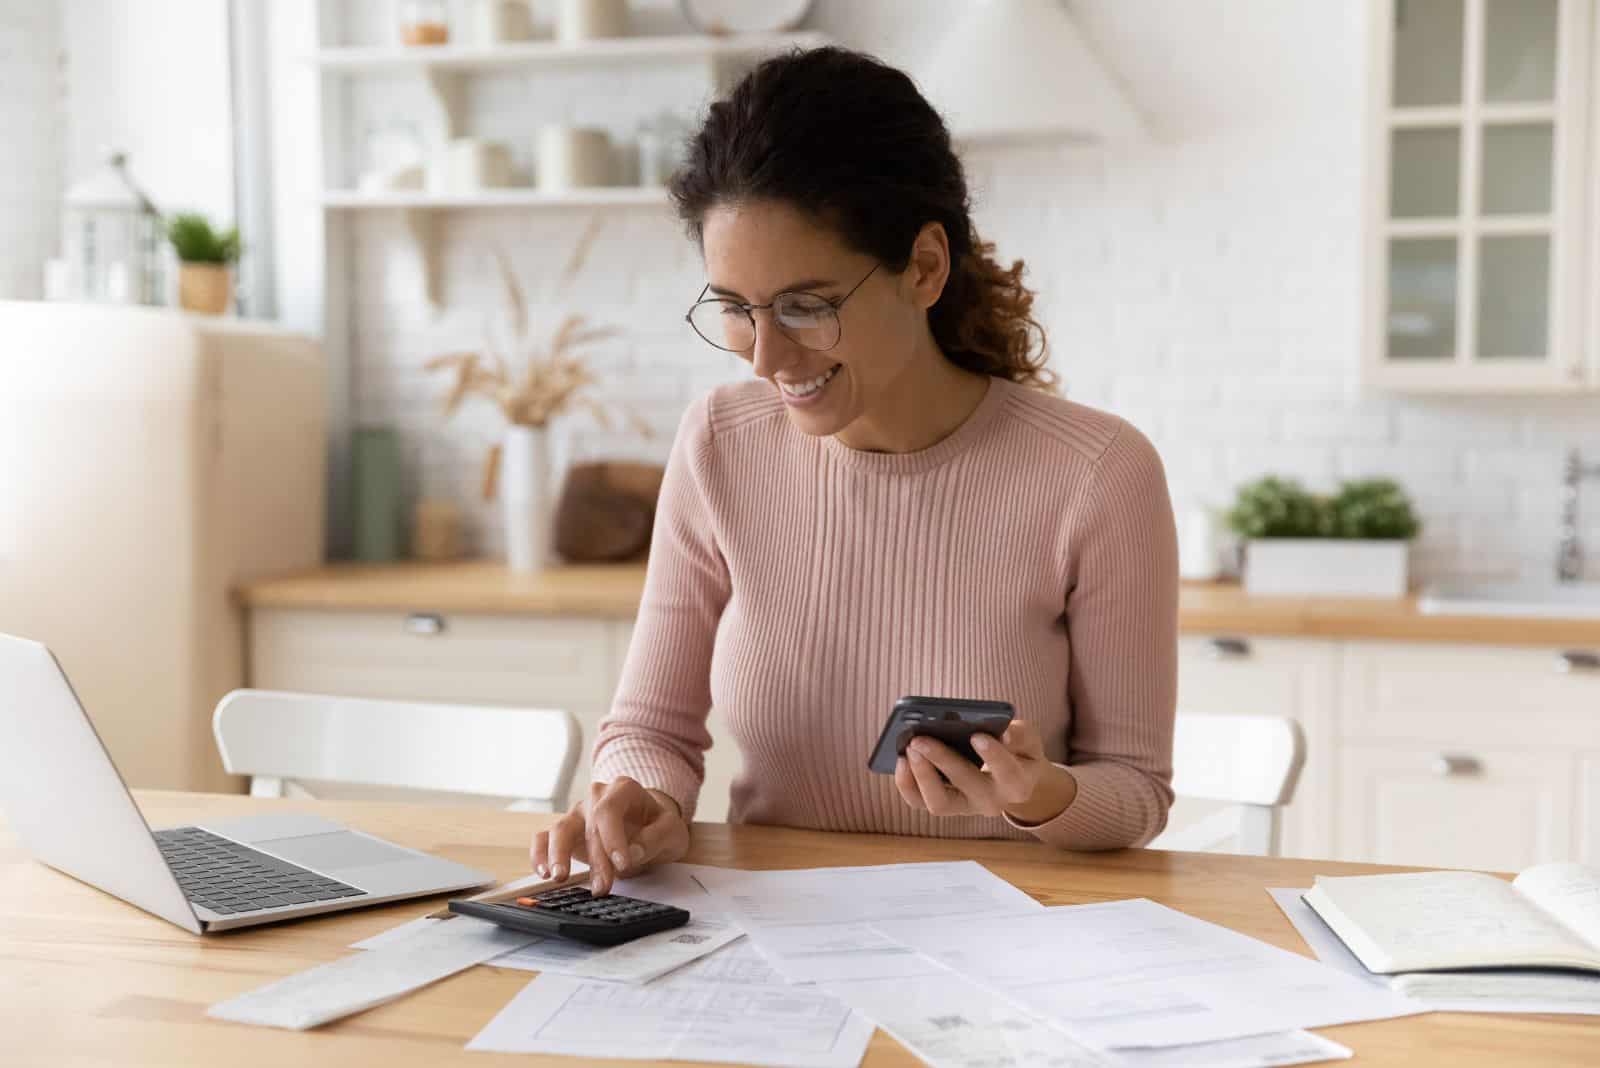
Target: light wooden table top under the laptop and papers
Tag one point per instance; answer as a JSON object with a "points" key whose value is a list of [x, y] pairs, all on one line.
{"points": [[90, 981]]}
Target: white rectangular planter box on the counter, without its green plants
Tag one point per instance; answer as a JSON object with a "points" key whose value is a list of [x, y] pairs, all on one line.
{"points": [[1326, 567]]}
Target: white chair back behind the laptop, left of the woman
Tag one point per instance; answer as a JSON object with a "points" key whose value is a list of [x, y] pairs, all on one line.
{"points": [[297, 744]]}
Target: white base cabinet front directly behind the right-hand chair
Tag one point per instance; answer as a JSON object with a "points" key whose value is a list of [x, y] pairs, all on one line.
{"points": [[1270, 677]]}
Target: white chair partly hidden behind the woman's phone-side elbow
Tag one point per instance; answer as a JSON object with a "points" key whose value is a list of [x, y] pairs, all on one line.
{"points": [[1252, 763]]}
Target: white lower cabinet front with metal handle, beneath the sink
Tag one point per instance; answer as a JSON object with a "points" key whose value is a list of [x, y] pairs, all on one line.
{"points": [[1465, 755]]}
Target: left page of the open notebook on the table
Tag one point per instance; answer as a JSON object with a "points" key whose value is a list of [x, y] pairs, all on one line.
{"points": [[1431, 920]]}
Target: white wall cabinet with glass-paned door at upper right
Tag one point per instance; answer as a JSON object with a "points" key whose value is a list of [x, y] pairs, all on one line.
{"points": [[1478, 177]]}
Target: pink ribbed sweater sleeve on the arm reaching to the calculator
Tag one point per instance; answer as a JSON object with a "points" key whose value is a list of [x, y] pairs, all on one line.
{"points": [[657, 728]]}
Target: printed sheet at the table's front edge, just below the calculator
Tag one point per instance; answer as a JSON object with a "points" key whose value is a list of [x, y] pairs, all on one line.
{"points": [[727, 1008]]}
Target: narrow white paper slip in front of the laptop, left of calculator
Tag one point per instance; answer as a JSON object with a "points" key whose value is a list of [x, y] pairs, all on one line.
{"points": [[370, 979]]}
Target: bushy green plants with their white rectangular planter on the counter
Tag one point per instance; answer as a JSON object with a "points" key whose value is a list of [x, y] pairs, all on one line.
{"points": [[1354, 543]]}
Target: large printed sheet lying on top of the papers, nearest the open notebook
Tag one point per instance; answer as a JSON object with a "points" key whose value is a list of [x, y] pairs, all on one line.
{"points": [[1132, 974]]}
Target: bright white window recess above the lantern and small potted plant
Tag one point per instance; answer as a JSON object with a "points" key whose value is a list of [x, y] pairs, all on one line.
{"points": [[153, 79]]}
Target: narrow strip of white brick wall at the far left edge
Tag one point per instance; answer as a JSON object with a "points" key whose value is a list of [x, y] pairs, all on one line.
{"points": [[31, 173]]}
